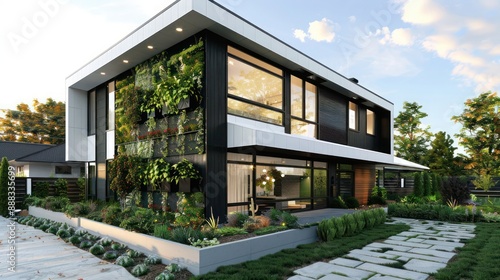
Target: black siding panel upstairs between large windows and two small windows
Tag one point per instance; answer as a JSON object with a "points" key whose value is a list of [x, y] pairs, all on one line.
{"points": [[332, 116]]}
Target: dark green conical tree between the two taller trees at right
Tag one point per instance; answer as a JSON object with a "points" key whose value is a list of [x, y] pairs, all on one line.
{"points": [[441, 155]]}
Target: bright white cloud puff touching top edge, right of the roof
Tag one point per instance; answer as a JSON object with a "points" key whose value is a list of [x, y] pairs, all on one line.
{"points": [[423, 12]]}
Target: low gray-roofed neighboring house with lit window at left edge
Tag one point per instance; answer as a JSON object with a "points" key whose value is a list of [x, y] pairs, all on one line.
{"points": [[39, 160]]}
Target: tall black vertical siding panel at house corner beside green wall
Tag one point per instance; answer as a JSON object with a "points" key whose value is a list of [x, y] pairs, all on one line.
{"points": [[216, 130]]}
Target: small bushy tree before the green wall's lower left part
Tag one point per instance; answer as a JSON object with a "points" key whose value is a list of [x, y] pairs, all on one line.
{"points": [[125, 175]]}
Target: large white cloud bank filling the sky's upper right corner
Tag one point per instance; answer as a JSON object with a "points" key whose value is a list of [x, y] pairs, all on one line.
{"points": [[466, 36]]}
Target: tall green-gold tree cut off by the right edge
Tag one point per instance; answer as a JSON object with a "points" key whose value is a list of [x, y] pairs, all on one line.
{"points": [[480, 133]]}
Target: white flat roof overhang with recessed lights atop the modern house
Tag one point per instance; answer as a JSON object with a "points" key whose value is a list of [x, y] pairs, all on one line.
{"points": [[194, 16]]}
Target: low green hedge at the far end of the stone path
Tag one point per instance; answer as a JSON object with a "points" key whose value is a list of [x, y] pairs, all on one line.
{"points": [[437, 212]]}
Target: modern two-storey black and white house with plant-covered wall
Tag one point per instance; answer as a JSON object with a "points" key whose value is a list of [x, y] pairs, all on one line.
{"points": [[272, 124]]}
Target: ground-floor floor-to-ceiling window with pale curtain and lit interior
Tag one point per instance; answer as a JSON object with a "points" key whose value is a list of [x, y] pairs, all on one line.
{"points": [[281, 183]]}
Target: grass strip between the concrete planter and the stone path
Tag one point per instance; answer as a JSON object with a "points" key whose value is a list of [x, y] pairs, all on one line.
{"points": [[282, 264]]}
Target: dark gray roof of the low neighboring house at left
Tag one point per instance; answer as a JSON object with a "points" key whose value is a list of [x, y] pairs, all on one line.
{"points": [[30, 152]]}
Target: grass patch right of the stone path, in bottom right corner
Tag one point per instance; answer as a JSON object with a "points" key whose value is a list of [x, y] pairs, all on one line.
{"points": [[478, 259]]}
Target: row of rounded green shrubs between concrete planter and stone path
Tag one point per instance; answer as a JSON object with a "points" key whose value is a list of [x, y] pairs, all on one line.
{"points": [[350, 224]]}
